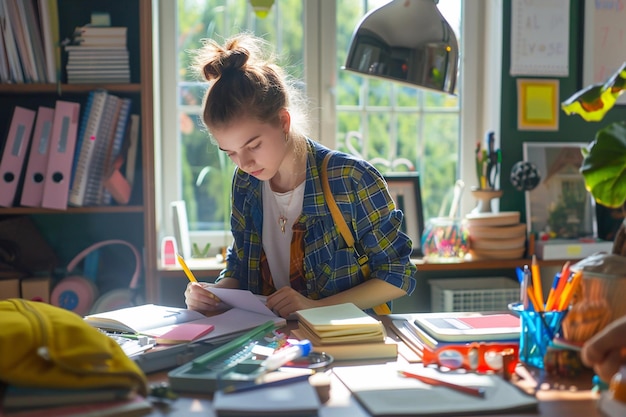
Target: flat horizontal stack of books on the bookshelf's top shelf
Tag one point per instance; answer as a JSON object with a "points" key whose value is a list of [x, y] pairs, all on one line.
{"points": [[98, 54]]}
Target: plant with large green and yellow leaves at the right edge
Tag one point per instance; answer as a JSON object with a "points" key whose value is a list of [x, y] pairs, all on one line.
{"points": [[604, 159]]}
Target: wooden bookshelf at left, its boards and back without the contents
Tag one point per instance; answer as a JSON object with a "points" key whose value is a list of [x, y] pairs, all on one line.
{"points": [[70, 231]]}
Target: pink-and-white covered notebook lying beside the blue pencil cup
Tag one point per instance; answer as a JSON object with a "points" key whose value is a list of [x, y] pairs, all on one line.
{"points": [[469, 326]]}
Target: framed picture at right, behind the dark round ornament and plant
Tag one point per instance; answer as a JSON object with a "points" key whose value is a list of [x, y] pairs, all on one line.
{"points": [[560, 204]]}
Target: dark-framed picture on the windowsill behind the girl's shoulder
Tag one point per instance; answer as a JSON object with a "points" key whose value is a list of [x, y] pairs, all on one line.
{"points": [[406, 192]]}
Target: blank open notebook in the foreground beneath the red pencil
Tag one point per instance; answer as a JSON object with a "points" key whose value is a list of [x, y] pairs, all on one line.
{"points": [[391, 394]]}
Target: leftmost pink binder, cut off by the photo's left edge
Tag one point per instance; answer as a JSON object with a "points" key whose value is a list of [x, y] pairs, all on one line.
{"points": [[14, 153]]}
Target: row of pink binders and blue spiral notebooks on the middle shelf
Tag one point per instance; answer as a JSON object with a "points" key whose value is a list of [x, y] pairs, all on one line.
{"points": [[70, 154]]}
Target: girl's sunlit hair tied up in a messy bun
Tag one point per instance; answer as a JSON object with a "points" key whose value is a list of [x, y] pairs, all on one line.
{"points": [[245, 81]]}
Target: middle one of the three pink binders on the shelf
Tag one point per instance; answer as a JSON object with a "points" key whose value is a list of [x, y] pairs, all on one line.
{"points": [[32, 191]]}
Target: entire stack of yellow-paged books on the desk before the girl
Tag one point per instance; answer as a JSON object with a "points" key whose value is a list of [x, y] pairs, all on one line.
{"points": [[345, 332]]}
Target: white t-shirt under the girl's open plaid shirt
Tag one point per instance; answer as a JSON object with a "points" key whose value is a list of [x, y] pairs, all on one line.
{"points": [[277, 244]]}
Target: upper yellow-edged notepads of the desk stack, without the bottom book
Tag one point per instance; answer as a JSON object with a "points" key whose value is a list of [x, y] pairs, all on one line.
{"points": [[338, 324]]}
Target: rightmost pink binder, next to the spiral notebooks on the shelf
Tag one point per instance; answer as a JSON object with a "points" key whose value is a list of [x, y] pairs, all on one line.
{"points": [[61, 155]]}
